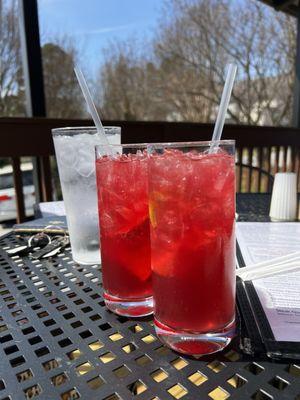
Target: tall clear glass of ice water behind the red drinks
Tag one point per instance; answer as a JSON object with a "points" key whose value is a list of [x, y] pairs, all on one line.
{"points": [[75, 154]]}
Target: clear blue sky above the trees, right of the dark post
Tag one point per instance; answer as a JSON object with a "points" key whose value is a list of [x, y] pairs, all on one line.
{"points": [[94, 23]]}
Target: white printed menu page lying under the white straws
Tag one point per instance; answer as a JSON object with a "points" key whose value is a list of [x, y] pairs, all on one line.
{"points": [[280, 294]]}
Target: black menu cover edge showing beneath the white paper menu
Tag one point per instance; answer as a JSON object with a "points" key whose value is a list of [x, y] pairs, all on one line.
{"points": [[256, 336]]}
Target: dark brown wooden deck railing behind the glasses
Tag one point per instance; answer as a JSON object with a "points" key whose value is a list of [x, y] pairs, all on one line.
{"points": [[261, 151]]}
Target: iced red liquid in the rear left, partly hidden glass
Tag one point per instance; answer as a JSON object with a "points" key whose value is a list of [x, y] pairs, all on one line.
{"points": [[124, 226]]}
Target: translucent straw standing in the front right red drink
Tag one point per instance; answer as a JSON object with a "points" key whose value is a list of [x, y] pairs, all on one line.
{"points": [[232, 68]]}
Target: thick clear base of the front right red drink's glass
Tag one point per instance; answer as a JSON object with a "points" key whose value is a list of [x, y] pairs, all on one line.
{"points": [[195, 344]]}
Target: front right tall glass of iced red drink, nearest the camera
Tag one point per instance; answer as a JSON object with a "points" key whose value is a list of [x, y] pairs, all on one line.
{"points": [[192, 221]]}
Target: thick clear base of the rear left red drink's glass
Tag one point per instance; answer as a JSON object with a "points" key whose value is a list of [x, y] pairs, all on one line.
{"points": [[129, 308]]}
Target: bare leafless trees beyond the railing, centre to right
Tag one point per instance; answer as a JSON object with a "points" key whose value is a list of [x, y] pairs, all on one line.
{"points": [[194, 42]]}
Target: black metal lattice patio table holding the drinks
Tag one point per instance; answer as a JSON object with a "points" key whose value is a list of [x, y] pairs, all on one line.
{"points": [[58, 341]]}
